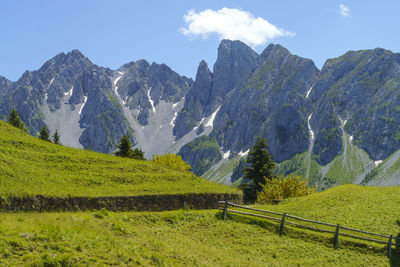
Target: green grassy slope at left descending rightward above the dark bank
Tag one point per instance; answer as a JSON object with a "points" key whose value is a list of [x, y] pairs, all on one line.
{"points": [[29, 166]]}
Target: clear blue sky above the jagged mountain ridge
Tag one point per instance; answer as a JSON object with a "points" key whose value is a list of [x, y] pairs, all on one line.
{"points": [[112, 33]]}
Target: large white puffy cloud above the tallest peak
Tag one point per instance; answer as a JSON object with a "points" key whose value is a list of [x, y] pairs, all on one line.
{"points": [[233, 24]]}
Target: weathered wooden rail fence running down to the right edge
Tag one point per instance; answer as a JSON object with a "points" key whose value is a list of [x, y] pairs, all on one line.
{"points": [[284, 220]]}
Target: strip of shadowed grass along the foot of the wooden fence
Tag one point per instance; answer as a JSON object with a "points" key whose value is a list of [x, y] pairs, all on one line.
{"points": [[325, 239]]}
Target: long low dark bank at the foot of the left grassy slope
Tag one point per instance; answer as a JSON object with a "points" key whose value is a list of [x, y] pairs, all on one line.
{"points": [[117, 203]]}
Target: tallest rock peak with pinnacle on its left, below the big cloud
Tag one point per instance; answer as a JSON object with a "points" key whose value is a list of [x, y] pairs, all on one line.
{"points": [[234, 64]]}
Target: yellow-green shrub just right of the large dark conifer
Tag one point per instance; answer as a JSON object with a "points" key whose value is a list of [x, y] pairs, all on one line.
{"points": [[282, 188]]}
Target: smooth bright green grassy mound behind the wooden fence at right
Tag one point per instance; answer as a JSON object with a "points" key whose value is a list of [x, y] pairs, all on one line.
{"points": [[373, 209]]}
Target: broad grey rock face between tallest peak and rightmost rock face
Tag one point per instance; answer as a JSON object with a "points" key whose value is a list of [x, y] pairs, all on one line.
{"points": [[270, 104]]}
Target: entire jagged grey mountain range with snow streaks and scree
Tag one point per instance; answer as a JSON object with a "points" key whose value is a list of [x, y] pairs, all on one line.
{"points": [[336, 125]]}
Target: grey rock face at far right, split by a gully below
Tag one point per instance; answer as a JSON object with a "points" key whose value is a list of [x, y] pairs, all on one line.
{"points": [[361, 88]]}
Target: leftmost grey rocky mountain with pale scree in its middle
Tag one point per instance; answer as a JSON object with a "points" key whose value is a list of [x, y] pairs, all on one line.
{"points": [[69, 89]]}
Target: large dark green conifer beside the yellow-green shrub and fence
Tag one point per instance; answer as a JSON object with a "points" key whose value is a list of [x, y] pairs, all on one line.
{"points": [[259, 165]]}
